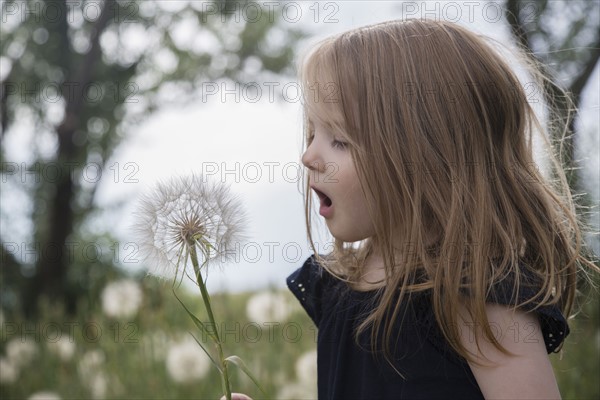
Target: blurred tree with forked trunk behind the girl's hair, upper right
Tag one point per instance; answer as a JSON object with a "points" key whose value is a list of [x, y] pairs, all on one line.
{"points": [[564, 37]]}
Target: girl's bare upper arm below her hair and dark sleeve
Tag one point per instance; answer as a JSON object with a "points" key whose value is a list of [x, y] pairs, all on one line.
{"points": [[524, 371]]}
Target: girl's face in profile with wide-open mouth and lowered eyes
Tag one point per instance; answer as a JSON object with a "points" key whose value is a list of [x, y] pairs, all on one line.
{"points": [[333, 177]]}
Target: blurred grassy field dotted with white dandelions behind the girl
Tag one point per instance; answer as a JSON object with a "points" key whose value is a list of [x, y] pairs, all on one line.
{"points": [[138, 345]]}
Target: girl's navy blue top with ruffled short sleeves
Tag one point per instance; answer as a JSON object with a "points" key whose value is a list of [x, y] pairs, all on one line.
{"points": [[430, 367]]}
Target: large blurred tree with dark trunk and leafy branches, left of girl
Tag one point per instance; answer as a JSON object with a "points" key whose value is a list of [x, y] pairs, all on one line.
{"points": [[75, 76]]}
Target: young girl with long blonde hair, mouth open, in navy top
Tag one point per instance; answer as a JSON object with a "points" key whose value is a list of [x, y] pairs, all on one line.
{"points": [[455, 260]]}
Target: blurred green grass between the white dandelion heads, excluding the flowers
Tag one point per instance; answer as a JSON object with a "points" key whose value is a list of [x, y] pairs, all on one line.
{"points": [[134, 350]]}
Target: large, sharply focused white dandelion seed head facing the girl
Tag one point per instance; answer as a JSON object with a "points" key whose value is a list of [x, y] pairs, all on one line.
{"points": [[186, 214]]}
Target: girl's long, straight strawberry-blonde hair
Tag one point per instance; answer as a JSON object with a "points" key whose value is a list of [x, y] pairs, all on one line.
{"points": [[440, 131]]}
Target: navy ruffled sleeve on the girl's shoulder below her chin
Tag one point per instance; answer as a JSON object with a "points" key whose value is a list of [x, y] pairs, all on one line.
{"points": [[306, 284]]}
